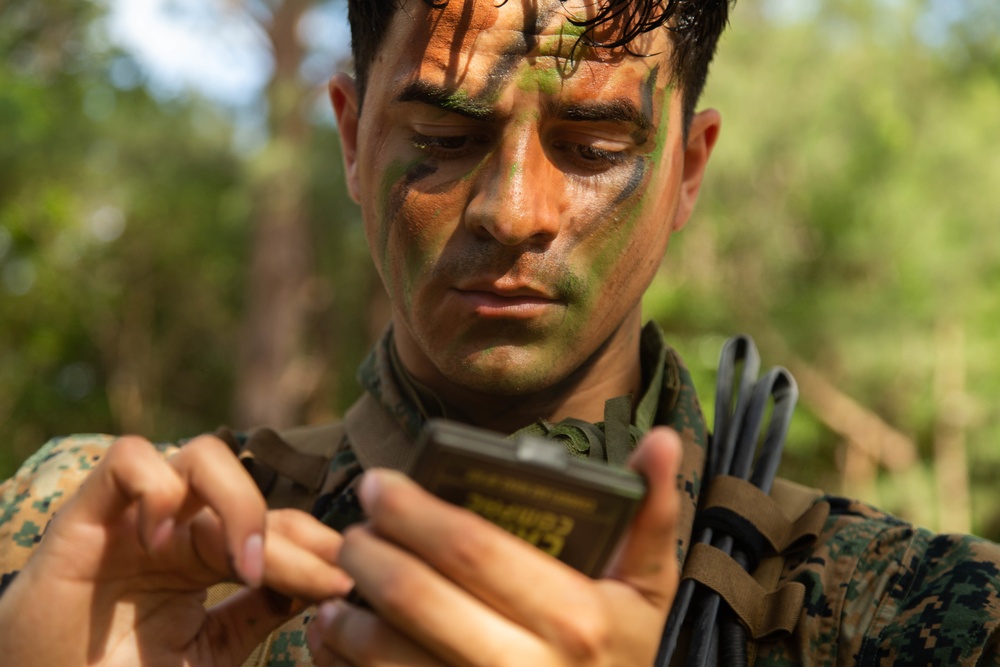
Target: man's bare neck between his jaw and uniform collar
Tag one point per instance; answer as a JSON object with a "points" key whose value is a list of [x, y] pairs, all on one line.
{"points": [[612, 370]]}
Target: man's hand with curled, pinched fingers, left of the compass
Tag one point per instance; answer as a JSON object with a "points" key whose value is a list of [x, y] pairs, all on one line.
{"points": [[121, 573]]}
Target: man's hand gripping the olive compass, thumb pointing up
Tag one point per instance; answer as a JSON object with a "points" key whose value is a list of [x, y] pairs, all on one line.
{"points": [[450, 588]]}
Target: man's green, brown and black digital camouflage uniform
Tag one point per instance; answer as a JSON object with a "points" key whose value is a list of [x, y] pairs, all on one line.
{"points": [[878, 590]]}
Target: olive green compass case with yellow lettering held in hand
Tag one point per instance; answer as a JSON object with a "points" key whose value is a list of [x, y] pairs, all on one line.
{"points": [[571, 508]]}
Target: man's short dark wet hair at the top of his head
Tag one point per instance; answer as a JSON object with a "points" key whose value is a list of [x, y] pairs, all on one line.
{"points": [[694, 26]]}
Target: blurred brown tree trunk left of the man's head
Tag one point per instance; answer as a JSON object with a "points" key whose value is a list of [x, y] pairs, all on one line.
{"points": [[271, 386]]}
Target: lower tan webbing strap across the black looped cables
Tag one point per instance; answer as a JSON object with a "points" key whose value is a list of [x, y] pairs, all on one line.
{"points": [[766, 614]]}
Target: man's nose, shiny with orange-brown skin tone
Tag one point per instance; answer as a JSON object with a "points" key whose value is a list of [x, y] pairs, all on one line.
{"points": [[516, 195]]}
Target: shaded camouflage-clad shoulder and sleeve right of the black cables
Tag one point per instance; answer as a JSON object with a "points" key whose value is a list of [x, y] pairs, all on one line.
{"points": [[881, 591]]}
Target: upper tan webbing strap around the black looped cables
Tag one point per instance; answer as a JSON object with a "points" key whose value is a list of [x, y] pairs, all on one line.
{"points": [[768, 516]]}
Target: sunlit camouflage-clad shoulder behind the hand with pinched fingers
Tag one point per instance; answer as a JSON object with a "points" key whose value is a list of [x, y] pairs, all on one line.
{"points": [[30, 498]]}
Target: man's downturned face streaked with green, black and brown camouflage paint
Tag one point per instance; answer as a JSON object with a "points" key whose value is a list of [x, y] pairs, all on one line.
{"points": [[517, 237]]}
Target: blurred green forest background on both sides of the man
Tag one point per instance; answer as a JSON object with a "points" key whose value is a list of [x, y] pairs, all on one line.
{"points": [[170, 262]]}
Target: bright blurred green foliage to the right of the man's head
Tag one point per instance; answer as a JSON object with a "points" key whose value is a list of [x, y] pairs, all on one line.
{"points": [[847, 219]]}
